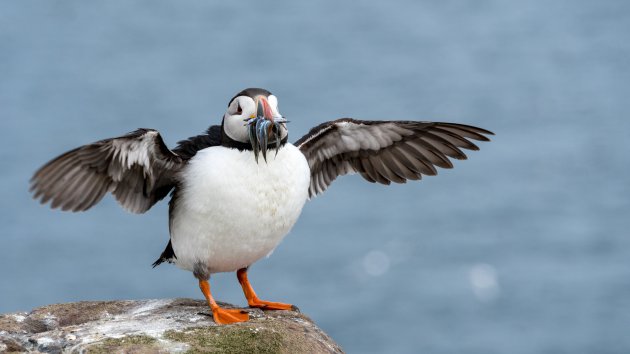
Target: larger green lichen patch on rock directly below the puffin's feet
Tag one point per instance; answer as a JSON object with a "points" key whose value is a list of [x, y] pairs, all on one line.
{"points": [[229, 339]]}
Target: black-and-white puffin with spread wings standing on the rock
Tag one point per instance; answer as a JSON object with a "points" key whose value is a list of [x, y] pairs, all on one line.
{"points": [[237, 189]]}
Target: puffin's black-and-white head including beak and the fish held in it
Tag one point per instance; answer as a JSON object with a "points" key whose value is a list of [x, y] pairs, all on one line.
{"points": [[253, 117]]}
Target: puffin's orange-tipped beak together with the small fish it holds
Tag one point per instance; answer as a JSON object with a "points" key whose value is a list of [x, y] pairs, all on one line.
{"points": [[262, 127]]}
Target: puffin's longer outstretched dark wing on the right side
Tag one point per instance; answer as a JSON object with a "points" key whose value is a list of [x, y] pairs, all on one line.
{"points": [[383, 151]]}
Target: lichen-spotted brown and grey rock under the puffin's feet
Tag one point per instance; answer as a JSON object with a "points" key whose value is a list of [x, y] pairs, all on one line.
{"points": [[157, 326]]}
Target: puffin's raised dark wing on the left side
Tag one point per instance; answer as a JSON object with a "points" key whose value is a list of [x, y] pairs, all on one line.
{"points": [[137, 168]]}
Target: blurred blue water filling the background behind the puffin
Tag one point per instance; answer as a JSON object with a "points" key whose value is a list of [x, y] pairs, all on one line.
{"points": [[524, 248]]}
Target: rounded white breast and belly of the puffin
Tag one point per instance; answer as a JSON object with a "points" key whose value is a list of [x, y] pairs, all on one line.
{"points": [[232, 211]]}
